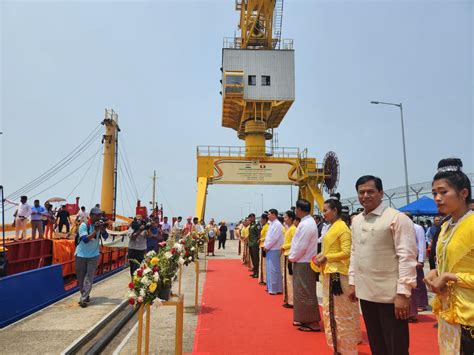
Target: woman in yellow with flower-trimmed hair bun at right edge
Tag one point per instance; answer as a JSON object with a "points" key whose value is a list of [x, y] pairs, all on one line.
{"points": [[453, 279]]}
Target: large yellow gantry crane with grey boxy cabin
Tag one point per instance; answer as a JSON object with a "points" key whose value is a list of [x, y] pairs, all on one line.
{"points": [[258, 89]]}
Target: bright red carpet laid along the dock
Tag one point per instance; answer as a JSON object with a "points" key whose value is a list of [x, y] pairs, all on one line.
{"points": [[239, 317]]}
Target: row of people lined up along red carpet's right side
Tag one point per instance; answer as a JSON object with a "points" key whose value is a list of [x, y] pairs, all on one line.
{"points": [[372, 261]]}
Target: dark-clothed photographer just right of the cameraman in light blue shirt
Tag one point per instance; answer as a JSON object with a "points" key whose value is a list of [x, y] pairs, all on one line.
{"points": [[140, 231]]}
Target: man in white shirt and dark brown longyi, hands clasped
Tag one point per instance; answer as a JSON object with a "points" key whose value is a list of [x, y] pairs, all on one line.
{"points": [[304, 247]]}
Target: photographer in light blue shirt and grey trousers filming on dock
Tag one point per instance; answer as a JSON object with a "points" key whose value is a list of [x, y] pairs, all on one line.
{"points": [[87, 253]]}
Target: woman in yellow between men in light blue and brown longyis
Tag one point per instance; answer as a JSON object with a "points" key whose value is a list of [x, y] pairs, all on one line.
{"points": [[286, 267]]}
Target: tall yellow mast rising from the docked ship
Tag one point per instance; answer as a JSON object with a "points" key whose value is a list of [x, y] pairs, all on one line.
{"points": [[109, 172]]}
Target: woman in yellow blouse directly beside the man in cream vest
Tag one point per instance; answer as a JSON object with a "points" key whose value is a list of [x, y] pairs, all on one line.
{"points": [[341, 315]]}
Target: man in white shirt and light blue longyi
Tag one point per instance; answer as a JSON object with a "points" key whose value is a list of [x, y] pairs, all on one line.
{"points": [[272, 245]]}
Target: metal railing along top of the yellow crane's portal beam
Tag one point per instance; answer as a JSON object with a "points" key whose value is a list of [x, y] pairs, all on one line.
{"points": [[239, 151]]}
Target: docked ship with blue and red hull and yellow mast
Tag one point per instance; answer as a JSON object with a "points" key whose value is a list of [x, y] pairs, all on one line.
{"points": [[36, 273]]}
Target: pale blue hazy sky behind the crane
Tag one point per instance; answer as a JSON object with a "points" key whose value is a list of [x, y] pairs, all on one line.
{"points": [[157, 63]]}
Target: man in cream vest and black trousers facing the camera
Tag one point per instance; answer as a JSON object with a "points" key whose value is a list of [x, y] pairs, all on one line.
{"points": [[382, 270]]}
